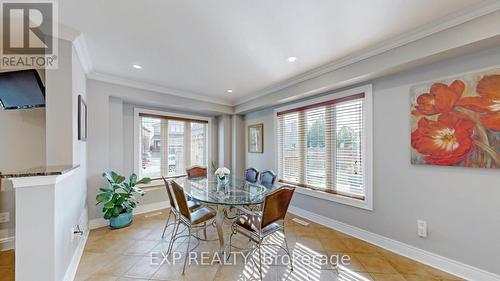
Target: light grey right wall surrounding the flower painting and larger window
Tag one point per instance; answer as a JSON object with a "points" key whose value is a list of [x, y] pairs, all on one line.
{"points": [[460, 205]]}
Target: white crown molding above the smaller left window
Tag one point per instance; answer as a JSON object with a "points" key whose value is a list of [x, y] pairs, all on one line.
{"points": [[153, 87]]}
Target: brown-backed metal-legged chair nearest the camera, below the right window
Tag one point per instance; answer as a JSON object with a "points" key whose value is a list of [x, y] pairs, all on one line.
{"points": [[260, 225]]}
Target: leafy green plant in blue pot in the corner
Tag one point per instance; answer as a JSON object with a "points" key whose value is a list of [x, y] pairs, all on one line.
{"points": [[118, 198]]}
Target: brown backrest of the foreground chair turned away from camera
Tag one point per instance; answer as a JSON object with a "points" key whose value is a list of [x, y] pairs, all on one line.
{"points": [[276, 205]]}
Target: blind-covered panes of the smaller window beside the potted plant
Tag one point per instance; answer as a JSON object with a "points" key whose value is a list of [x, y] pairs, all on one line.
{"points": [[169, 145]]}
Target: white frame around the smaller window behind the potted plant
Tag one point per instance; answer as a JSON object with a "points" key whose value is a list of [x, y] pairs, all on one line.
{"points": [[137, 140]]}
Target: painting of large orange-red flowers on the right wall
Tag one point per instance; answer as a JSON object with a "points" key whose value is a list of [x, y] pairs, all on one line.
{"points": [[456, 122]]}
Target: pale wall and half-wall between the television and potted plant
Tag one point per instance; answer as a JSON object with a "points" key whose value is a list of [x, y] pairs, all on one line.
{"points": [[63, 87]]}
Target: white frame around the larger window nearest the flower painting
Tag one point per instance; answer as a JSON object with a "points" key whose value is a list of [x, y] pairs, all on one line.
{"points": [[367, 202]]}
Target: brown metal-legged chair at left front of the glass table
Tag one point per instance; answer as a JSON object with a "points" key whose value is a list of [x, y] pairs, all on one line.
{"points": [[201, 218]]}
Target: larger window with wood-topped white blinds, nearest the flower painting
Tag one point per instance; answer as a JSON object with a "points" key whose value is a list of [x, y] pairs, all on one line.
{"points": [[321, 146]]}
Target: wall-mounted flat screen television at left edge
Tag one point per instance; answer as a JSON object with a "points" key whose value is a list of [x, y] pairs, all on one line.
{"points": [[21, 90]]}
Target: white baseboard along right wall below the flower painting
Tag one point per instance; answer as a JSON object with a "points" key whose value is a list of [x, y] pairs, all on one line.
{"points": [[457, 268]]}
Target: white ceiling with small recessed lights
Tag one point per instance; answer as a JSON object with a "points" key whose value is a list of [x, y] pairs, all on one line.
{"points": [[203, 48]]}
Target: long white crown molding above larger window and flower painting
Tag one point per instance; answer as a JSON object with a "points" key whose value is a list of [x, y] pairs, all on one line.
{"points": [[452, 20]]}
